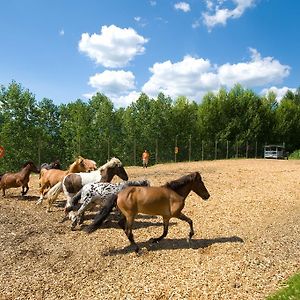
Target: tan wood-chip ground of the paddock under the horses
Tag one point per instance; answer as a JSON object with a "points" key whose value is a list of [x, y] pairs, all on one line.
{"points": [[247, 241]]}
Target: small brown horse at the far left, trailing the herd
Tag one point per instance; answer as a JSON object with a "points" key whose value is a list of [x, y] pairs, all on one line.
{"points": [[21, 178]]}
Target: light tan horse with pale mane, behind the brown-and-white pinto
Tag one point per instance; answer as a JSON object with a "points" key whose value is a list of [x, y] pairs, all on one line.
{"points": [[49, 178]]}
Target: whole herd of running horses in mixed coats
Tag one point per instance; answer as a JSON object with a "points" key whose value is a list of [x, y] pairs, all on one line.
{"points": [[85, 186]]}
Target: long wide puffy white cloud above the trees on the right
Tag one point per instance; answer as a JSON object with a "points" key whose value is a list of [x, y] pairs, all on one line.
{"points": [[193, 77]]}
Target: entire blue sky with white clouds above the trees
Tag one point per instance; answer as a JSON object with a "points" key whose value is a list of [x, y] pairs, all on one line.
{"points": [[67, 50]]}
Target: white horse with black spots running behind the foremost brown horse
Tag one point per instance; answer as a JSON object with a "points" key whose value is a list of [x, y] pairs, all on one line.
{"points": [[96, 193]]}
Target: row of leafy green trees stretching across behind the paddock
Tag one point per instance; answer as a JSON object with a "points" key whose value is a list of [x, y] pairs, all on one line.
{"points": [[43, 131]]}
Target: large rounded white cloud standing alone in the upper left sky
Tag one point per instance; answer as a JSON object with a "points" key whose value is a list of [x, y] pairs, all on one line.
{"points": [[114, 47]]}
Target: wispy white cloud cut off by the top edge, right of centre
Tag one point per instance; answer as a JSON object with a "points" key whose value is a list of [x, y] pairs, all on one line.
{"points": [[217, 12]]}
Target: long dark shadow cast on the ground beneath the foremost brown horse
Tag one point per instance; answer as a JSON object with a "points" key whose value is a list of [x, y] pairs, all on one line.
{"points": [[175, 244]]}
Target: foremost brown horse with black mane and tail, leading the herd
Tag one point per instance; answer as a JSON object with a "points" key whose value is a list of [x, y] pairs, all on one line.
{"points": [[167, 200]]}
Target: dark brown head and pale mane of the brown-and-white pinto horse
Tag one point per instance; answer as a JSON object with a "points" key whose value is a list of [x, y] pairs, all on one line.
{"points": [[113, 167]]}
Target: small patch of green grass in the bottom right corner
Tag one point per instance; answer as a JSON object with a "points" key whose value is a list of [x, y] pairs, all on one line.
{"points": [[289, 291]]}
